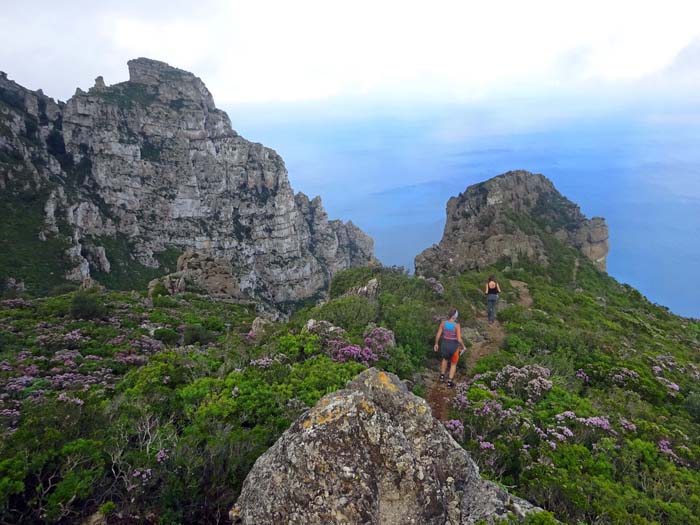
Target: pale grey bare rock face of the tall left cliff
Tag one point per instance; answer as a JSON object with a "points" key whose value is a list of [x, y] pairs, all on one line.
{"points": [[153, 161]]}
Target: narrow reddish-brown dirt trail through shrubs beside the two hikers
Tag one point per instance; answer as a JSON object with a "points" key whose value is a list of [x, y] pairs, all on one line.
{"points": [[491, 338]]}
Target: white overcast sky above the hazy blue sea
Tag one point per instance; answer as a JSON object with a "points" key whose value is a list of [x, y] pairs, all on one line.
{"points": [[267, 51]]}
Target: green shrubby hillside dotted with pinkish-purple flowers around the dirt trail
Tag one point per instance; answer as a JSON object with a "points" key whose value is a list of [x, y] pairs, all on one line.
{"points": [[590, 410]]}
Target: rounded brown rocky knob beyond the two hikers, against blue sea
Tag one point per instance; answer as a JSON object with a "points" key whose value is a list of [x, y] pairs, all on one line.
{"points": [[502, 218]]}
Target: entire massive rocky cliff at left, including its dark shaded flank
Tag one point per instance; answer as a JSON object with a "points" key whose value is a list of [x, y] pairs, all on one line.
{"points": [[126, 177]]}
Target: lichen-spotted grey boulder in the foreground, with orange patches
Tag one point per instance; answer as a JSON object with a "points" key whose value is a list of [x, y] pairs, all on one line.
{"points": [[373, 454]]}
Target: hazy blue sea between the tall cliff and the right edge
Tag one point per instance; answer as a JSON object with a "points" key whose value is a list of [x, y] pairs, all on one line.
{"points": [[392, 176]]}
